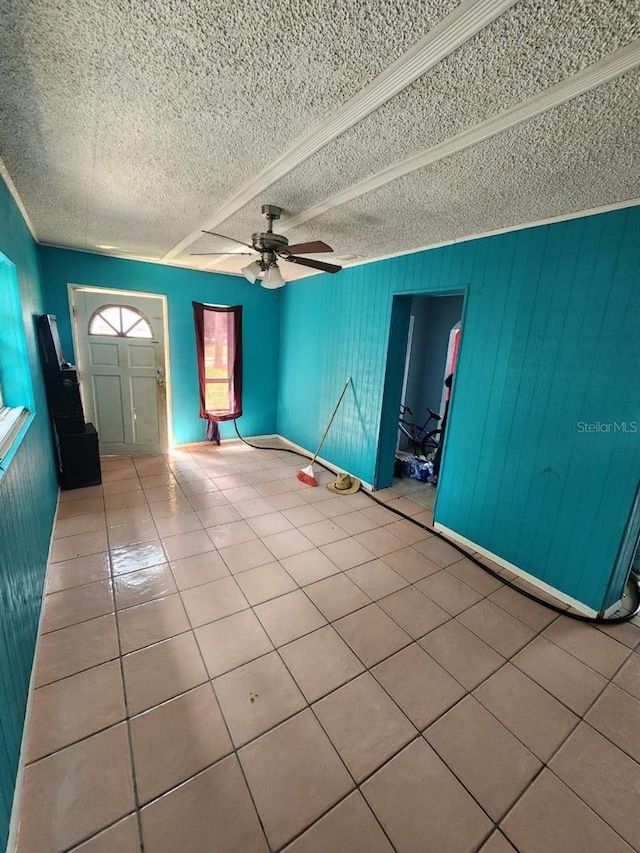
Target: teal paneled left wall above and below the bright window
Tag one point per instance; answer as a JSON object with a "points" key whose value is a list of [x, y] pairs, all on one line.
{"points": [[28, 494]]}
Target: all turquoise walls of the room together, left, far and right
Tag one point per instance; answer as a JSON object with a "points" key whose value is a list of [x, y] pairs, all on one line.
{"points": [[550, 342]]}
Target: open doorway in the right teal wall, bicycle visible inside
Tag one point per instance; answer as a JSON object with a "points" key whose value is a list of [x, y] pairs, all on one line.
{"points": [[426, 332]]}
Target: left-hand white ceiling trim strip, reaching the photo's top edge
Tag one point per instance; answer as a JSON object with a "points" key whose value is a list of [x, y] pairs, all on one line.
{"points": [[466, 21]]}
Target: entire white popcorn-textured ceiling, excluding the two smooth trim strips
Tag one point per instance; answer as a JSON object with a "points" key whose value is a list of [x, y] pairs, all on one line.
{"points": [[130, 124]]}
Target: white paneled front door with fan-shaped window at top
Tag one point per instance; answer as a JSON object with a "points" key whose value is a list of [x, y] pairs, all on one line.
{"points": [[121, 357]]}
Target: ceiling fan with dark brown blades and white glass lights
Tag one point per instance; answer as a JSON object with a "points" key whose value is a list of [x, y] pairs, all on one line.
{"points": [[272, 247]]}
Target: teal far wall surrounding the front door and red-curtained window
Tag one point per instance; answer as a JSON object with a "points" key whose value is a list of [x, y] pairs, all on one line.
{"points": [[261, 329]]}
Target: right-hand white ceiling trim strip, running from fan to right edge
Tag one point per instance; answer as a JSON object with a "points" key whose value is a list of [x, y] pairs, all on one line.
{"points": [[603, 71]]}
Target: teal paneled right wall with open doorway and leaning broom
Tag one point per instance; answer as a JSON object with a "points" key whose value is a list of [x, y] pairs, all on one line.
{"points": [[550, 340]]}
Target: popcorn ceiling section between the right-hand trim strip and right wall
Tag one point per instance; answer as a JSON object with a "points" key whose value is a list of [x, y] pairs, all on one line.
{"points": [[567, 159]]}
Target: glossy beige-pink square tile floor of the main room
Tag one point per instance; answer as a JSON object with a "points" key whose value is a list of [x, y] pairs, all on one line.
{"points": [[231, 661]]}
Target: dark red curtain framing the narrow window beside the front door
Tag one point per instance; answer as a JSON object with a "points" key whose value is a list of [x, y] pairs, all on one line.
{"points": [[219, 350]]}
